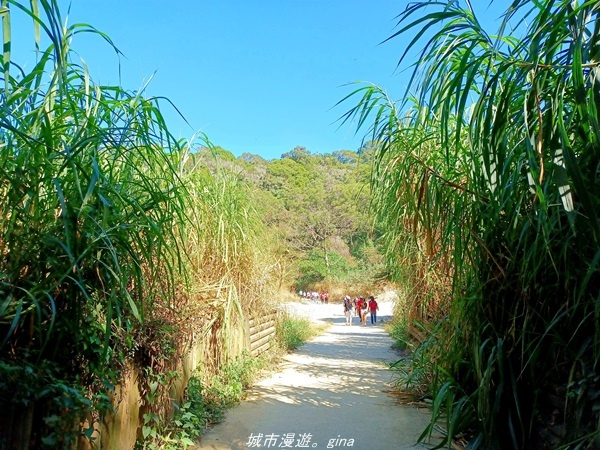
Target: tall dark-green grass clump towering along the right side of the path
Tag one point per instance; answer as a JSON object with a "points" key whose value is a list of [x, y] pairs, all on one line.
{"points": [[501, 195]]}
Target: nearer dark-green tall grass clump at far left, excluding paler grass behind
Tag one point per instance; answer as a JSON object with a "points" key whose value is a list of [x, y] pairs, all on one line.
{"points": [[90, 203]]}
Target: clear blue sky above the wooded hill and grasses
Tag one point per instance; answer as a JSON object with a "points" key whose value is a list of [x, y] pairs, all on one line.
{"points": [[258, 76]]}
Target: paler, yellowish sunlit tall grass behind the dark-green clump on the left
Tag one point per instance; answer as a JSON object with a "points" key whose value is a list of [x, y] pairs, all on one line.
{"points": [[227, 252]]}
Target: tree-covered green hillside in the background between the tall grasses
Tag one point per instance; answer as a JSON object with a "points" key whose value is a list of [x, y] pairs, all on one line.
{"points": [[316, 208]]}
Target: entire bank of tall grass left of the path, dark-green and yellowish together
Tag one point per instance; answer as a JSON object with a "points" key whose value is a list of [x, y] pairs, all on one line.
{"points": [[109, 239]]}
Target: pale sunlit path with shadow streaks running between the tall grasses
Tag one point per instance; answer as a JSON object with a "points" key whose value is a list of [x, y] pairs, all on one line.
{"points": [[330, 393]]}
